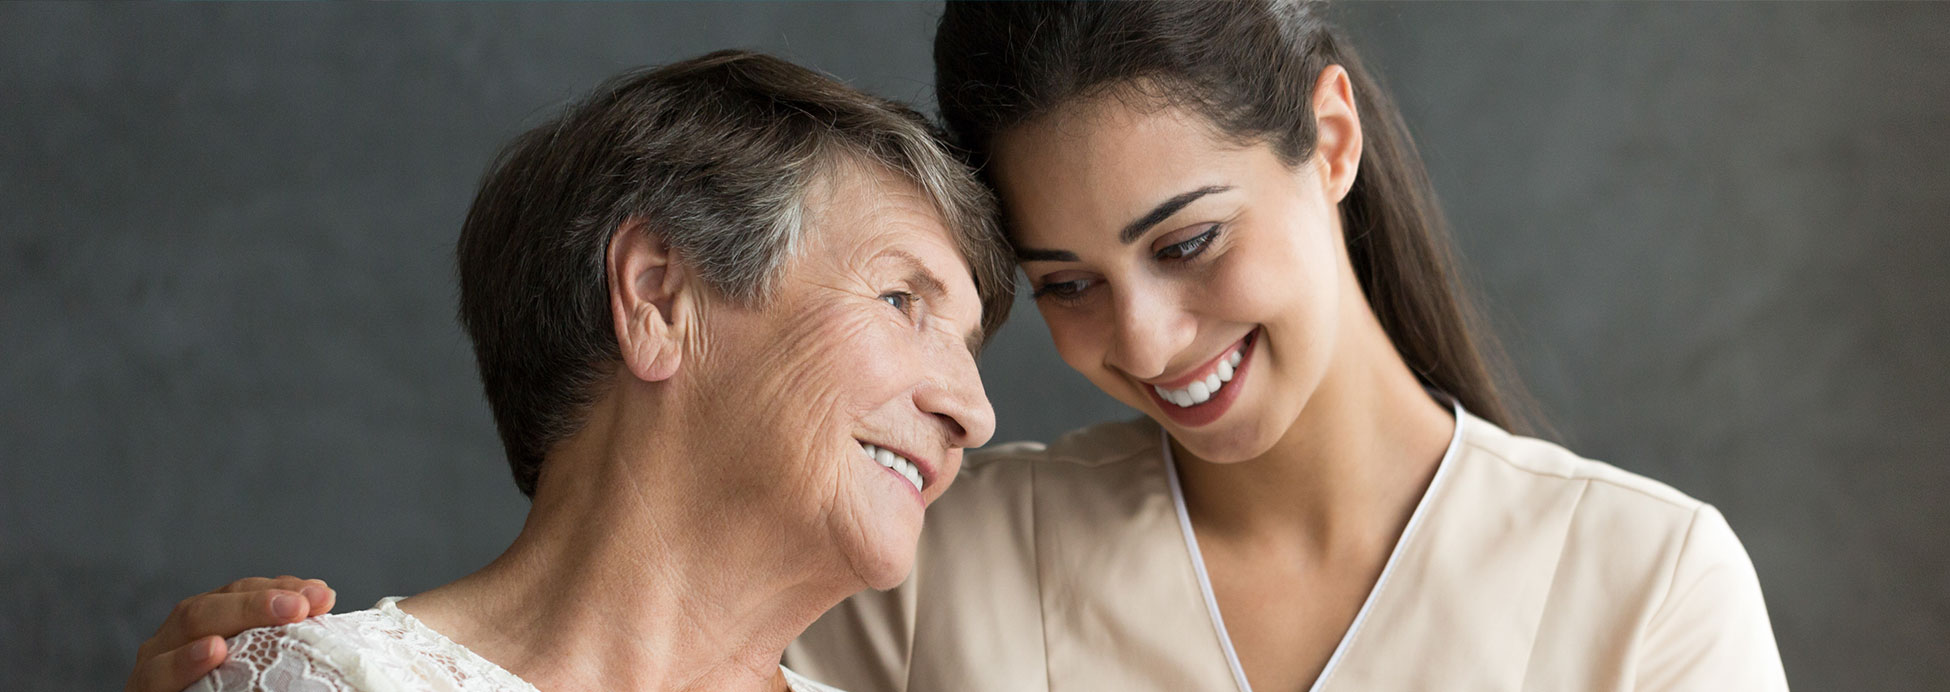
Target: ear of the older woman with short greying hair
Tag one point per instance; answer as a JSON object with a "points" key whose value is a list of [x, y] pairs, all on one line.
{"points": [[650, 295]]}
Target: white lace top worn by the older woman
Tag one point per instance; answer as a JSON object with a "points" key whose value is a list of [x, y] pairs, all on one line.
{"points": [[379, 650]]}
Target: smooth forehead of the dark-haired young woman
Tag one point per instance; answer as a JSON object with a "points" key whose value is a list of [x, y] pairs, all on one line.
{"points": [[1105, 161]]}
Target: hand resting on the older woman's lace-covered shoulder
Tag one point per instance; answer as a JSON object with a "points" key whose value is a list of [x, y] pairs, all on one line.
{"points": [[190, 644]]}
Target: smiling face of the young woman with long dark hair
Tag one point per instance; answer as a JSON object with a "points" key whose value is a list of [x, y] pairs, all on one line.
{"points": [[1190, 278]]}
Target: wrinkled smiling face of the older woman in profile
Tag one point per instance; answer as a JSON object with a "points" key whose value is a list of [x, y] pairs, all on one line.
{"points": [[849, 399]]}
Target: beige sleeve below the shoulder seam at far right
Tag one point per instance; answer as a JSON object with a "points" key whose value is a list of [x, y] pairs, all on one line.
{"points": [[1711, 633]]}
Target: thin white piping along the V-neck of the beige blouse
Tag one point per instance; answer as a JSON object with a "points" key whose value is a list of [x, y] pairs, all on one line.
{"points": [[1206, 584]]}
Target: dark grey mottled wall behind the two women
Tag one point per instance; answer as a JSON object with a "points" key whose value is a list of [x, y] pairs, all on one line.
{"points": [[1711, 235]]}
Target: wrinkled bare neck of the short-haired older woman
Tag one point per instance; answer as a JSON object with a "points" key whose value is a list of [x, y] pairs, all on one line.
{"points": [[629, 578]]}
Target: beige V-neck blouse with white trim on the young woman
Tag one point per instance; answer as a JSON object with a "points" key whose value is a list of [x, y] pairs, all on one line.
{"points": [[1072, 568]]}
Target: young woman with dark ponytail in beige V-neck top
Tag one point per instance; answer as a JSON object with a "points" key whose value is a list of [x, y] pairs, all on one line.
{"points": [[1229, 229]]}
